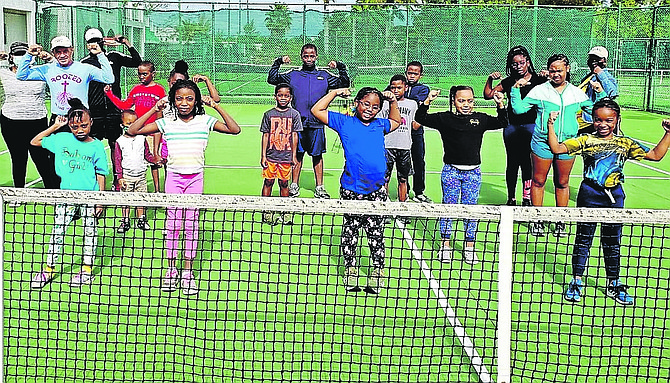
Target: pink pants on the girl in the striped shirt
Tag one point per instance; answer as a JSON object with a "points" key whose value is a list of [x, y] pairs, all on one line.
{"points": [[178, 218]]}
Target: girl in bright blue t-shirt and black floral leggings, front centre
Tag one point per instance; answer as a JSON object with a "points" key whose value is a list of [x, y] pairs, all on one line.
{"points": [[364, 175]]}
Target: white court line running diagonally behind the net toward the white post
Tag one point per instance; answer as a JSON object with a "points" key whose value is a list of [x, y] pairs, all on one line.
{"points": [[463, 337]]}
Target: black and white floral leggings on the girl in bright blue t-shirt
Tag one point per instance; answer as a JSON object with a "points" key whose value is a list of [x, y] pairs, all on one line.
{"points": [[373, 225]]}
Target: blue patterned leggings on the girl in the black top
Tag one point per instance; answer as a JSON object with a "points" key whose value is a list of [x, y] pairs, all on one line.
{"points": [[466, 185]]}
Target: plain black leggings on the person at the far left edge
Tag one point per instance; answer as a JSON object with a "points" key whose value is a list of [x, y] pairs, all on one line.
{"points": [[17, 135]]}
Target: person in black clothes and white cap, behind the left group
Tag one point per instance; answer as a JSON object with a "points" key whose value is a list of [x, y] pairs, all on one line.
{"points": [[106, 116]]}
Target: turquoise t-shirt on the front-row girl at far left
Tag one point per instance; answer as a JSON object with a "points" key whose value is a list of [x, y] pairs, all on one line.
{"points": [[77, 162]]}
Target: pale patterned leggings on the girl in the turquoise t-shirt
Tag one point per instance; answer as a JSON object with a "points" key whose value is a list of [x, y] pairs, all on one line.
{"points": [[64, 215]]}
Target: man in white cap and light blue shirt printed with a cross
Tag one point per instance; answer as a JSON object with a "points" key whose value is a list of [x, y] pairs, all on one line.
{"points": [[65, 78]]}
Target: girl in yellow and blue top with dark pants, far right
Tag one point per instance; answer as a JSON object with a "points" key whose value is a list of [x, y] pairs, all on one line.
{"points": [[604, 156]]}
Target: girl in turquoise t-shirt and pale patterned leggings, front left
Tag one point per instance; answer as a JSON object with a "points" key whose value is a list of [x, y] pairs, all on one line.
{"points": [[81, 163]]}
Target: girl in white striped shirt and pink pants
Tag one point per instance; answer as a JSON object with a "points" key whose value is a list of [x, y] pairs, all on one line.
{"points": [[187, 137]]}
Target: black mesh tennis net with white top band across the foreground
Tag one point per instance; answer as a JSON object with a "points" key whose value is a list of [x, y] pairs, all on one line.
{"points": [[272, 304]]}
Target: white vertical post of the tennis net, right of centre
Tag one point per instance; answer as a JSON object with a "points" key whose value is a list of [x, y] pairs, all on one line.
{"points": [[506, 231]]}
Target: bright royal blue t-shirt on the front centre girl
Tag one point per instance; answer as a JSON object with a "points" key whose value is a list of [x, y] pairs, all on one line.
{"points": [[364, 151]]}
